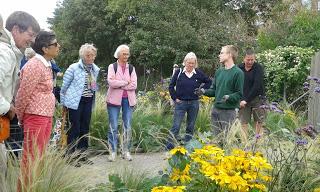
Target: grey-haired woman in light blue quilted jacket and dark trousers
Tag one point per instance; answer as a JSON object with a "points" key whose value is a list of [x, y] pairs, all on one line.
{"points": [[77, 95]]}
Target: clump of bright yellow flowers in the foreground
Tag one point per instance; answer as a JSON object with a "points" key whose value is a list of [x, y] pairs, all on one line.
{"points": [[210, 169]]}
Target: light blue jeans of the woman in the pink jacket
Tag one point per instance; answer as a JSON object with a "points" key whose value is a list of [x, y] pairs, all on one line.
{"points": [[113, 112]]}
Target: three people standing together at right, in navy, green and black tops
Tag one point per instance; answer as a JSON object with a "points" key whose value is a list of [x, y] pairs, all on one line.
{"points": [[233, 86]]}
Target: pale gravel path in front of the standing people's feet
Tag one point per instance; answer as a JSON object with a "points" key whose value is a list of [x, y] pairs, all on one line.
{"points": [[149, 163]]}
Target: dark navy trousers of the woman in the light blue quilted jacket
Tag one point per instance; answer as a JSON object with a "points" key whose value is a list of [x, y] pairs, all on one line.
{"points": [[80, 122]]}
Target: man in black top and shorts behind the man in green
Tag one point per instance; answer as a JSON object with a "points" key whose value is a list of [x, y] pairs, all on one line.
{"points": [[253, 93]]}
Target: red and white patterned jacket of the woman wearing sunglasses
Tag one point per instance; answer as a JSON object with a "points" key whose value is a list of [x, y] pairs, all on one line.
{"points": [[35, 95]]}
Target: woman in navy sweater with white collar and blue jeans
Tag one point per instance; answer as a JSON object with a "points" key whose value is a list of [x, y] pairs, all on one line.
{"points": [[181, 88]]}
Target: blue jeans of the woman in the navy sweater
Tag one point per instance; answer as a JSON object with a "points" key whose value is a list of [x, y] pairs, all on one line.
{"points": [[189, 107]]}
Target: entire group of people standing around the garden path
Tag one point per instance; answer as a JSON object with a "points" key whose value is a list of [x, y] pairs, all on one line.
{"points": [[27, 92]]}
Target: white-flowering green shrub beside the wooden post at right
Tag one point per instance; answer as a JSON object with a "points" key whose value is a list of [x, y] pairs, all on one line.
{"points": [[286, 68]]}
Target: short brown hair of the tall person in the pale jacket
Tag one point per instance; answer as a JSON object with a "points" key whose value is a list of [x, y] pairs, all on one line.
{"points": [[23, 20]]}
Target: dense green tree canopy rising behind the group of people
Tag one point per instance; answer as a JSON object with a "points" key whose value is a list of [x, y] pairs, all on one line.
{"points": [[159, 32]]}
